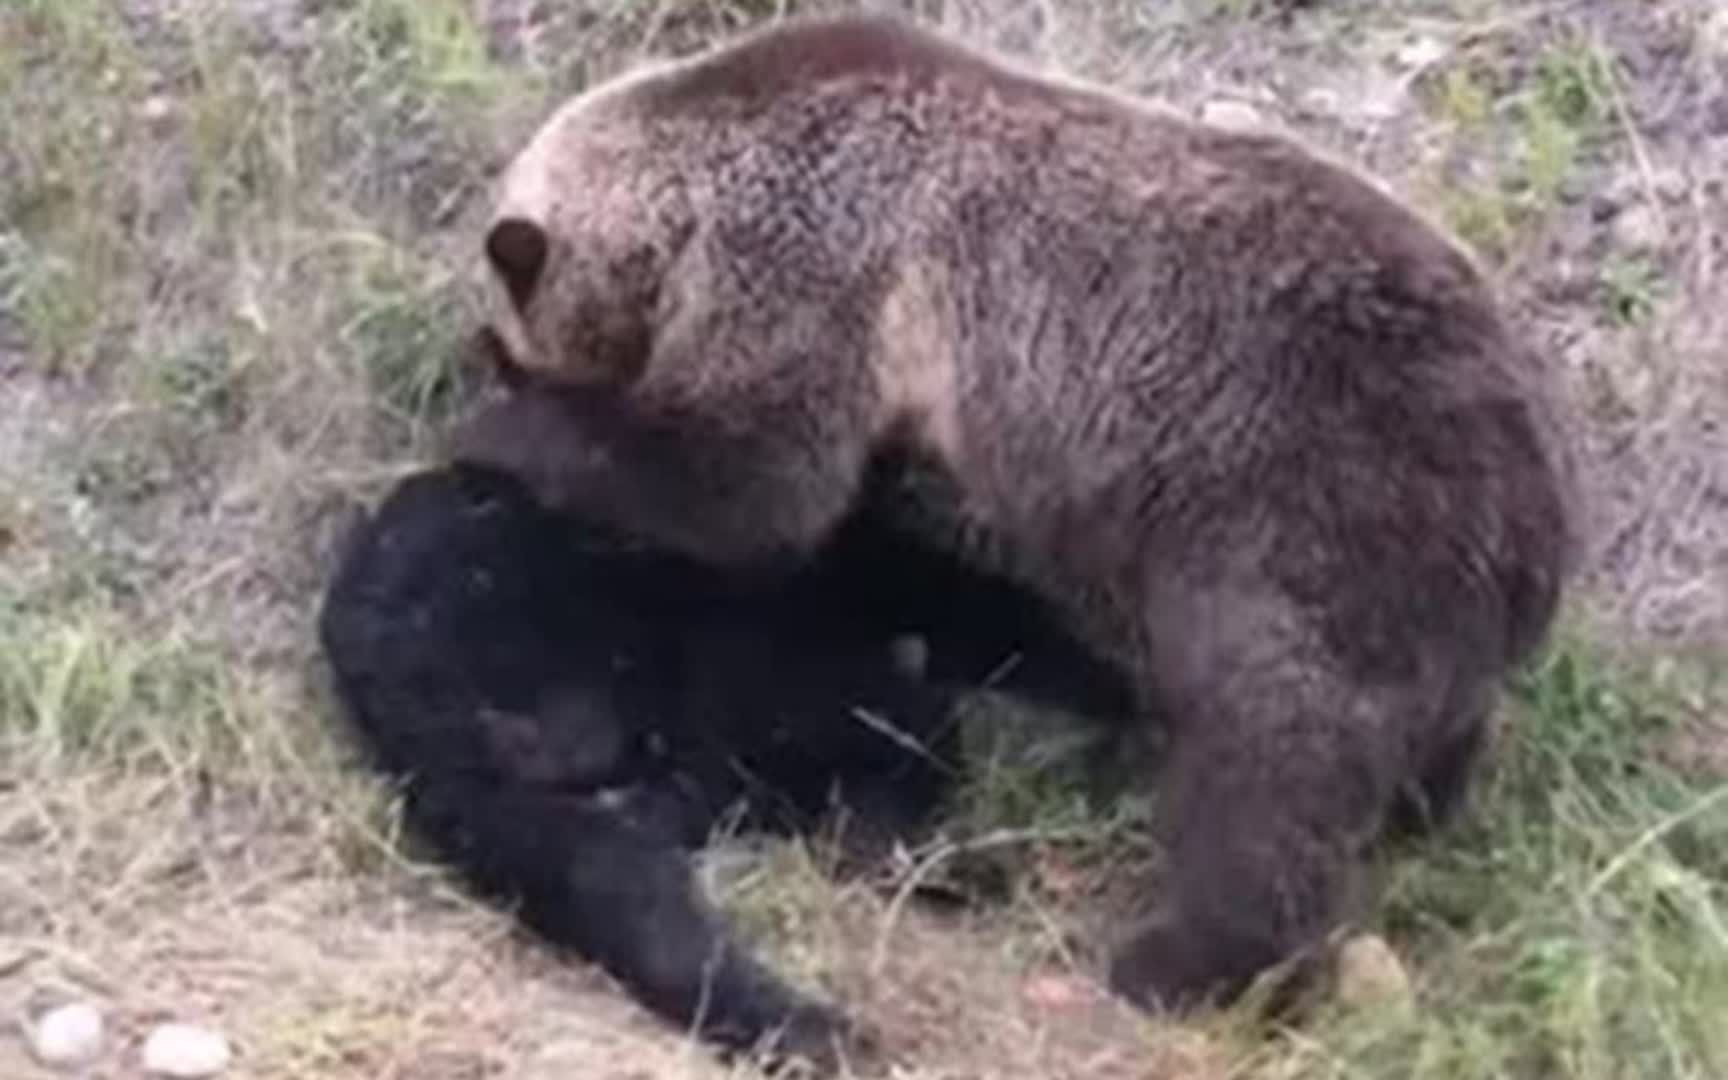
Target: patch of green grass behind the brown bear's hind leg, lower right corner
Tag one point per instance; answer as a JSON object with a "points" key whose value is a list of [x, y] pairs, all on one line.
{"points": [[1575, 922]]}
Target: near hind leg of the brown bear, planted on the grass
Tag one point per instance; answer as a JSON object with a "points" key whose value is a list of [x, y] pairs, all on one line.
{"points": [[1281, 773]]}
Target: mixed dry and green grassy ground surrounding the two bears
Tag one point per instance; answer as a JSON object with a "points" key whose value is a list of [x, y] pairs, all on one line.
{"points": [[236, 267]]}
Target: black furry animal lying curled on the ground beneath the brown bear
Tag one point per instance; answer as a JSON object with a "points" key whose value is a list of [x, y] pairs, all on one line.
{"points": [[571, 715]]}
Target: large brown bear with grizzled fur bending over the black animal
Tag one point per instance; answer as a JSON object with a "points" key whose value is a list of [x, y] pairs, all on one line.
{"points": [[1259, 429]]}
